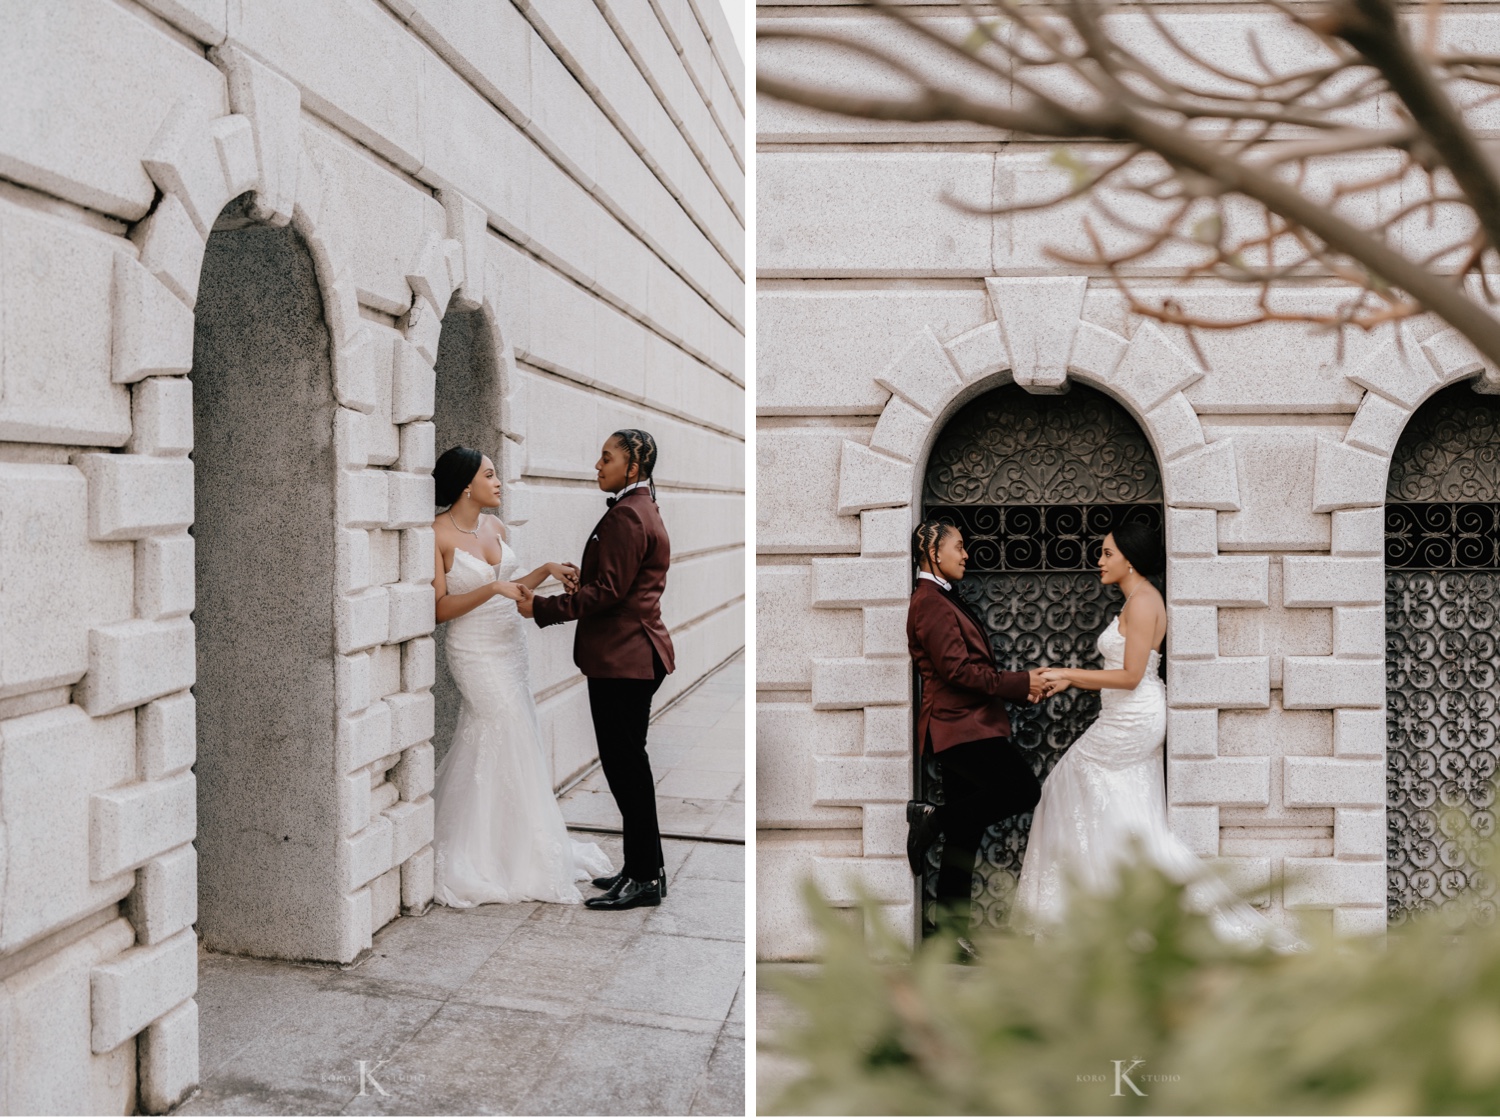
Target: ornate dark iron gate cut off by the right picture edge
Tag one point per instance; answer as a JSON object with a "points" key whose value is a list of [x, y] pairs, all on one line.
{"points": [[1442, 595]]}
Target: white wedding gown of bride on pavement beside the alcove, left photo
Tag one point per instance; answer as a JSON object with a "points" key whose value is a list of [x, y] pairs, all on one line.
{"points": [[499, 832]]}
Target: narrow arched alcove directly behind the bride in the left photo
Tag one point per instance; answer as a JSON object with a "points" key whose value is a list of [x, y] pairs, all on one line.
{"points": [[466, 413]]}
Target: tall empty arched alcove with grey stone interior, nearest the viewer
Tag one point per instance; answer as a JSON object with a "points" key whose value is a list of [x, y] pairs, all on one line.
{"points": [[265, 535]]}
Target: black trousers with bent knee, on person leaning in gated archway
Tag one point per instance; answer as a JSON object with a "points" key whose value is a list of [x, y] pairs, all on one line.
{"points": [[983, 783]]}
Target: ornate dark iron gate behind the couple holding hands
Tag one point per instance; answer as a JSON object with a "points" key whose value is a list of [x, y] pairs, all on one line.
{"points": [[1036, 482]]}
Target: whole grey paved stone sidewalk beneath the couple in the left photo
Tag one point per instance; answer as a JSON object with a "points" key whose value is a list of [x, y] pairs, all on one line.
{"points": [[517, 1009]]}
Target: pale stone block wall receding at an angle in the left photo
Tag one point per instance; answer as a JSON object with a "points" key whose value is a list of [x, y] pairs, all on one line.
{"points": [[236, 239]]}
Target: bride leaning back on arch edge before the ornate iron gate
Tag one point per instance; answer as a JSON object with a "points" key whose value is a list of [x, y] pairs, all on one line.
{"points": [[1106, 798]]}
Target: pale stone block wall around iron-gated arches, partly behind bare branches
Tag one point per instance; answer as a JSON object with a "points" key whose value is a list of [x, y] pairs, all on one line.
{"points": [[881, 310]]}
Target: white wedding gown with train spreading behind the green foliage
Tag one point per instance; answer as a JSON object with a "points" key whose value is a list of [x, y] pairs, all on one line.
{"points": [[1106, 792]]}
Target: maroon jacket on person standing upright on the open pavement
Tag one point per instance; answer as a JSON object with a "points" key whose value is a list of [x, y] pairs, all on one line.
{"points": [[619, 603]]}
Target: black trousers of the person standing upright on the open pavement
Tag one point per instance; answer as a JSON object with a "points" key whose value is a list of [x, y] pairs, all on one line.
{"points": [[622, 711]]}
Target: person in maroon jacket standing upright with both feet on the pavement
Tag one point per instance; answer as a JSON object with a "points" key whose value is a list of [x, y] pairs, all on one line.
{"points": [[625, 651]]}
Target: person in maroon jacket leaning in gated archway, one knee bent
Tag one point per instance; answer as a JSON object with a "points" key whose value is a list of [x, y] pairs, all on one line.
{"points": [[962, 721]]}
